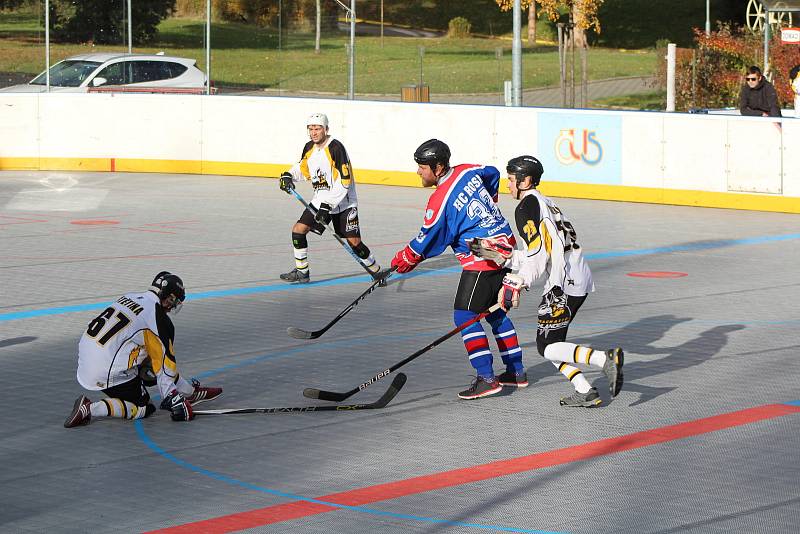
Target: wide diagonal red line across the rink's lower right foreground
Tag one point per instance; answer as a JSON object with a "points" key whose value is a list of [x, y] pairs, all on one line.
{"points": [[466, 475]]}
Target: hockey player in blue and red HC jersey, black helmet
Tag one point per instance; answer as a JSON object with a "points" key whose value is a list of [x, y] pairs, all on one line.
{"points": [[462, 208]]}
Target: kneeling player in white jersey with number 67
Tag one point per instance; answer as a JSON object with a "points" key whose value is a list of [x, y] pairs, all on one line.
{"points": [[129, 346]]}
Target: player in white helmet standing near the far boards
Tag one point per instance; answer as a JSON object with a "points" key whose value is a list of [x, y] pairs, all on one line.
{"points": [[325, 163]]}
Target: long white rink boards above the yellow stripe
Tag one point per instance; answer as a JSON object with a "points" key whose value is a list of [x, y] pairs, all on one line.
{"points": [[656, 150]]}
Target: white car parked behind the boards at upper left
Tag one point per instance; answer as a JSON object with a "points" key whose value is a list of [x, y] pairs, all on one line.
{"points": [[77, 74]]}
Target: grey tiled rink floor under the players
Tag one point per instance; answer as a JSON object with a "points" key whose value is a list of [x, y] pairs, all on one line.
{"points": [[719, 340]]}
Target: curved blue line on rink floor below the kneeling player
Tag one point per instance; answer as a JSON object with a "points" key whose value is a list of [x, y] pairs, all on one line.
{"points": [[252, 487]]}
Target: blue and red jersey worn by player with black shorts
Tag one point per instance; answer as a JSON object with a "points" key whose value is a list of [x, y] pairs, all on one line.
{"points": [[463, 207]]}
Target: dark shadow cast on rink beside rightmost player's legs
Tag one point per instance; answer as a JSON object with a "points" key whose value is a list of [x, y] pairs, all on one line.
{"points": [[638, 340]]}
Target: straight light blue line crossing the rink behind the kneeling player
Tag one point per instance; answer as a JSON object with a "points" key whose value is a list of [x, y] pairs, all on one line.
{"points": [[704, 245]]}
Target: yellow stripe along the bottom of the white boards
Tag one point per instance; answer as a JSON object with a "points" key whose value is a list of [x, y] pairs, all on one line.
{"points": [[651, 195]]}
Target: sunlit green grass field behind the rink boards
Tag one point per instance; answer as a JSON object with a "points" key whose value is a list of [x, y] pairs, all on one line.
{"points": [[251, 57]]}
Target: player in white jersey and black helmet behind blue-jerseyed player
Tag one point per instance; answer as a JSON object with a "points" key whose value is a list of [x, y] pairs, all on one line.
{"points": [[551, 248]]}
